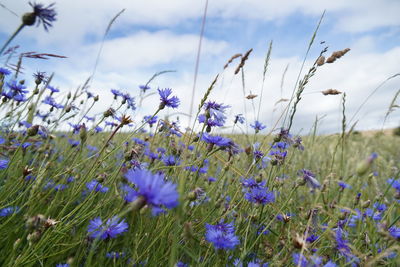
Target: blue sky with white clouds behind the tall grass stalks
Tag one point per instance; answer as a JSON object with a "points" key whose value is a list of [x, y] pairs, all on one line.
{"points": [[153, 36]]}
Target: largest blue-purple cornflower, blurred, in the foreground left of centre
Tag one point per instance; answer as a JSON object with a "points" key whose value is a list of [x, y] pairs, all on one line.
{"points": [[152, 189]]}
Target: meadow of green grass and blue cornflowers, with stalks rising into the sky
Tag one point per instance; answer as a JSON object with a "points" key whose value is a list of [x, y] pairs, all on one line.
{"points": [[117, 189]]}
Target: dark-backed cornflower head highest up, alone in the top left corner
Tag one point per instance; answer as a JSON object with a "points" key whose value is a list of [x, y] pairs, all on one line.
{"points": [[45, 15]]}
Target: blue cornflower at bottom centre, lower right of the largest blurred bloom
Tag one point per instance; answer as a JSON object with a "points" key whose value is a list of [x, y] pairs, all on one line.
{"points": [[222, 236]]}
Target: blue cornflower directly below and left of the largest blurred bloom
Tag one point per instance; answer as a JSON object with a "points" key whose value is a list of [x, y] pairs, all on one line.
{"points": [[110, 229]]}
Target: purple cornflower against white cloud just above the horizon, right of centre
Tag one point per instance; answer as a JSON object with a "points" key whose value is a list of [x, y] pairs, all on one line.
{"points": [[214, 115]]}
